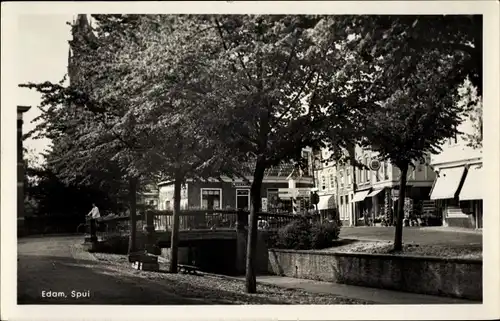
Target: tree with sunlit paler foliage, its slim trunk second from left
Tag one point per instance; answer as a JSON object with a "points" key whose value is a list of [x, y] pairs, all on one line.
{"points": [[167, 87]]}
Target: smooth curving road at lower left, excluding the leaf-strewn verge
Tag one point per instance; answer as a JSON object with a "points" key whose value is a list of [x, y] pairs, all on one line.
{"points": [[51, 264]]}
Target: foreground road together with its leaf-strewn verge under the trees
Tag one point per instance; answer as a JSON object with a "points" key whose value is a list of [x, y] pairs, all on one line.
{"points": [[59, 265]]}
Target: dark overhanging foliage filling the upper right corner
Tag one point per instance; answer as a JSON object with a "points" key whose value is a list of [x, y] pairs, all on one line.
{"points": [[402, 38]]}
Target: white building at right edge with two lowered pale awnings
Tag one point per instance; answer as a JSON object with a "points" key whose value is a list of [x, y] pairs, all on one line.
{"points": [[457, 189]]}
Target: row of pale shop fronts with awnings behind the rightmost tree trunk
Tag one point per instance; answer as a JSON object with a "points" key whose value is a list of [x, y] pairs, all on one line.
{"points": [[361, 195]]}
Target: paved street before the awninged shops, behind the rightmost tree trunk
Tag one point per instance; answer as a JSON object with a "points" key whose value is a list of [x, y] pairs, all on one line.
{"points": [[422, 236]]}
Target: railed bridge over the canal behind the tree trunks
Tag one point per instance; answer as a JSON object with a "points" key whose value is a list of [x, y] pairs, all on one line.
{"points": [[214, 240]]}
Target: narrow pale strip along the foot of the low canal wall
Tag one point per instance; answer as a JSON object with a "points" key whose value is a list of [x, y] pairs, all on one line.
{"points": [[379, 296]]}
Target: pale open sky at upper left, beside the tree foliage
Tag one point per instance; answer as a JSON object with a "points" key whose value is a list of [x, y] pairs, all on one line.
{"points": [[42, 56]]}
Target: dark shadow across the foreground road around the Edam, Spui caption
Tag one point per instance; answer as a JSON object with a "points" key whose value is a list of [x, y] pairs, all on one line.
{"points": [[101, 283]]}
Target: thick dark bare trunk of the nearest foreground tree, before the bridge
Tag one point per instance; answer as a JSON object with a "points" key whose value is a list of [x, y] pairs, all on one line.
{"points": [[251, 284]]}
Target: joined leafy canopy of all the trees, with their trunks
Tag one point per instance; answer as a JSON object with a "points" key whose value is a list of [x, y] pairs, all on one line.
{"points": [[184, 96]]}
